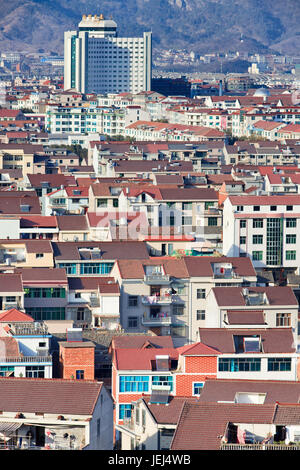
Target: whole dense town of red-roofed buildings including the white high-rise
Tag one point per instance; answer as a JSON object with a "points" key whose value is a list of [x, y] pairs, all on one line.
{"points": [[149, 258]]}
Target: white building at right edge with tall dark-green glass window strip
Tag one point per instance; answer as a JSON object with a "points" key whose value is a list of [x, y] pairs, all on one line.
{"points": [[266, 228]]}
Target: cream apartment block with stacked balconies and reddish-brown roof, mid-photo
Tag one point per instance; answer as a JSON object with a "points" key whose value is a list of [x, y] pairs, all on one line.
{"points": [[169, 296]]}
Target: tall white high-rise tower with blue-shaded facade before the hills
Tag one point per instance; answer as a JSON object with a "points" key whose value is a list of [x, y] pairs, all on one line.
{"points": [[98, 61]]}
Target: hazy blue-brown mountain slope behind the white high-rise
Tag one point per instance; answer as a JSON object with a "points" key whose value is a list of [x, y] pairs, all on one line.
{"points": [[199, 25]]}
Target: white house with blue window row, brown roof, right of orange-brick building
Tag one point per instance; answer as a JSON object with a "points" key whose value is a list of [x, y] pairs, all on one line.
{"points": [[253, 354]]}
